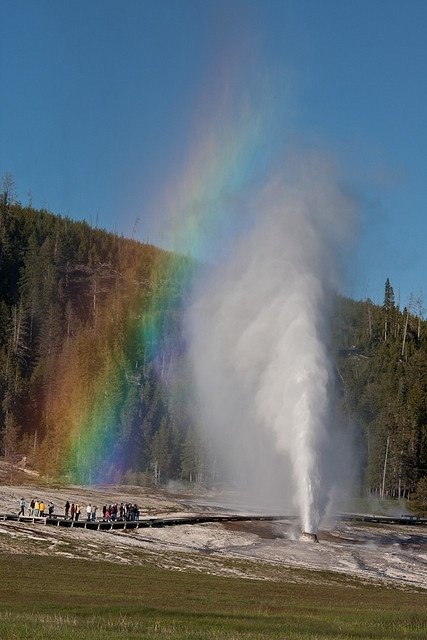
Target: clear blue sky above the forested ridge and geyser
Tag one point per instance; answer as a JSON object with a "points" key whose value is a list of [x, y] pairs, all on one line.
{"points": [[134, 114]]}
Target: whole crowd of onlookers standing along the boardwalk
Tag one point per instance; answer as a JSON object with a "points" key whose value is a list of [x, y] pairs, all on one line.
{"points": [[72, 510]]}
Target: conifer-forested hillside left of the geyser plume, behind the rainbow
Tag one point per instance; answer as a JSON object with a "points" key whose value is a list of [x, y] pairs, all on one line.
{"points": [[90, 343]]}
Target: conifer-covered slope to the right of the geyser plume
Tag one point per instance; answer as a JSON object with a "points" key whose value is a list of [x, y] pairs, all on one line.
{"points": [[382, 362]]}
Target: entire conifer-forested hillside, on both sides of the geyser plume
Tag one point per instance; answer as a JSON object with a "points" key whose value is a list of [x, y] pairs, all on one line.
{"points": [[93, 375]]}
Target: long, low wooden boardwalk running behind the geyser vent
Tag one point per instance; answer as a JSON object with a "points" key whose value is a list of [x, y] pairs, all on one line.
{"points": [[108, 525]]}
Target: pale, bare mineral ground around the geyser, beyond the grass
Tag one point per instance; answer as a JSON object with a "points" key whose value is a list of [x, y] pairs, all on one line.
{"points": [[392, 554]]}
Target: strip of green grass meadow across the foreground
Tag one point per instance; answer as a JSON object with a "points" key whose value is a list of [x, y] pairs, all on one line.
{"points": [[49, 597]]}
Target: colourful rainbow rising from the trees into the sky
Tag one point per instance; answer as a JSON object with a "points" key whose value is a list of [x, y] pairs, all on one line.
{"points": [[89, 417]]}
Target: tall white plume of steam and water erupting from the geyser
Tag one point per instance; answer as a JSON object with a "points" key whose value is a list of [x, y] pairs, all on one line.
{"points": [[260, 341]]}
